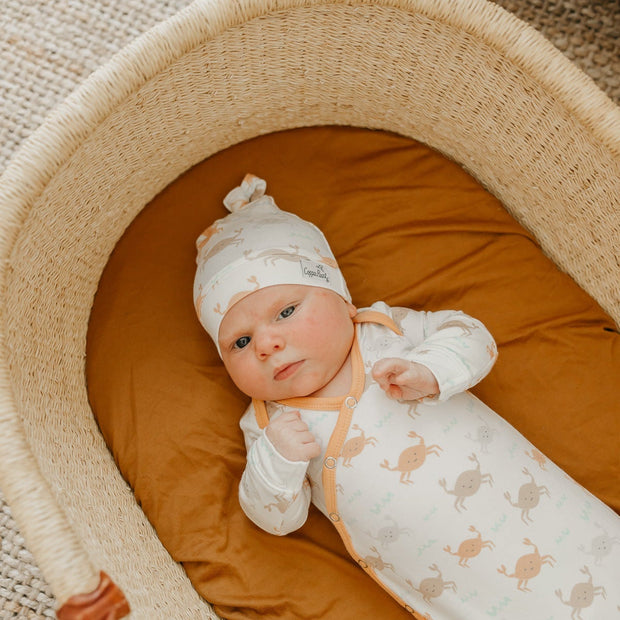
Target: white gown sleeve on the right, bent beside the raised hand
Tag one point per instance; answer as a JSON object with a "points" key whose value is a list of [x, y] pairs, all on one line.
{"points": [[455, 347]]}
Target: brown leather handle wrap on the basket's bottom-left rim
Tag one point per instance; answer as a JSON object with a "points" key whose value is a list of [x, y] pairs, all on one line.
{"points": [[106, 602]]}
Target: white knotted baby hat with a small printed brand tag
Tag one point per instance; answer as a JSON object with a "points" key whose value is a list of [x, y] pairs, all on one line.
{"points": [[255, 246]]}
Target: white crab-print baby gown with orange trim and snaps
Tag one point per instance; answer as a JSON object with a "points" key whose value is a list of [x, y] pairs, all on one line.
{"points": [[442, 502]]}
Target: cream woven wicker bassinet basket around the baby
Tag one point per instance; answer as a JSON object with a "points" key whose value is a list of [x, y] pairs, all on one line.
{"points": [[464, 76]]}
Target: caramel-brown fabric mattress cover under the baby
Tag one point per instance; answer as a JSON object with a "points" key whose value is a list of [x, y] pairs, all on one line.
{"points": [[408, 227]]}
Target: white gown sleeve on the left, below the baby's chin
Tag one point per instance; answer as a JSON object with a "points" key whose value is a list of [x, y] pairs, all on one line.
{"points": [[273, 492]]}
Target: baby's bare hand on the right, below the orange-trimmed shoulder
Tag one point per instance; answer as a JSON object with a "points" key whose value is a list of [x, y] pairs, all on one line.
{"points": [[404, 380]]}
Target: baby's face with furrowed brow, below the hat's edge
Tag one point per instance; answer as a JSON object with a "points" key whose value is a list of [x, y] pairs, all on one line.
{"points": [[286, 341]]}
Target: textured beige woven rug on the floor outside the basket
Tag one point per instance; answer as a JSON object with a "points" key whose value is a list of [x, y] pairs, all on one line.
{"points": [[47, 47]]}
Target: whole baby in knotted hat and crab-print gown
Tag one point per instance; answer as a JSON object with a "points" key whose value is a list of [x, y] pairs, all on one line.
{"points": [[366, 414]]}
